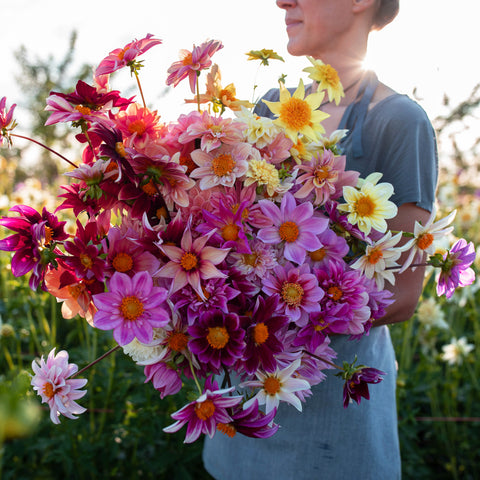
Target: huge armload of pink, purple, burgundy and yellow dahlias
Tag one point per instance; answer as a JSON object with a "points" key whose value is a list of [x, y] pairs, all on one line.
{"points": [[217, 246]]}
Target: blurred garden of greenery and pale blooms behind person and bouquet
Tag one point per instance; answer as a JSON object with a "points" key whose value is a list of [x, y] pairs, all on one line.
{"points": [[120, 435]]}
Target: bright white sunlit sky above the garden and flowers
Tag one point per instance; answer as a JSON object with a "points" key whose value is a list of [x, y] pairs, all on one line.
{"points": [[431, 46]]}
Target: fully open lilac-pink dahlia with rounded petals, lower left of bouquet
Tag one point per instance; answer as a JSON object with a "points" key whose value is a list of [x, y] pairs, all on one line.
{"points": [[132, 307]]}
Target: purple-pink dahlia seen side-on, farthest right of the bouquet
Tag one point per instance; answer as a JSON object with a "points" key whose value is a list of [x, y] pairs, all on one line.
{"points": [[455, 269]]}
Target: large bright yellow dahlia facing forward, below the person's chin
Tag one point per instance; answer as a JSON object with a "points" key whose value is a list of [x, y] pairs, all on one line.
{"points": [[298, 114]]}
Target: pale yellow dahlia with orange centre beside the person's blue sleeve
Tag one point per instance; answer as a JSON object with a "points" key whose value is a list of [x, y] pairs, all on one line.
{"points": [[368, 205]]}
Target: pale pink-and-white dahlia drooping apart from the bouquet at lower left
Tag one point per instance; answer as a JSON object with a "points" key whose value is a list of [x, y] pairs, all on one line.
{"points": [[52, 383]]}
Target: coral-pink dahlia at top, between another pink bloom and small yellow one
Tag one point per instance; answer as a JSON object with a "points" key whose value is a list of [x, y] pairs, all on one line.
{"points": [[191, 63]]}
